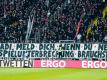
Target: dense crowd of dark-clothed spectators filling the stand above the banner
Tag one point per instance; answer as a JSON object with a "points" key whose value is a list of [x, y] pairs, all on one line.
{"points": [[54, 20]]}
